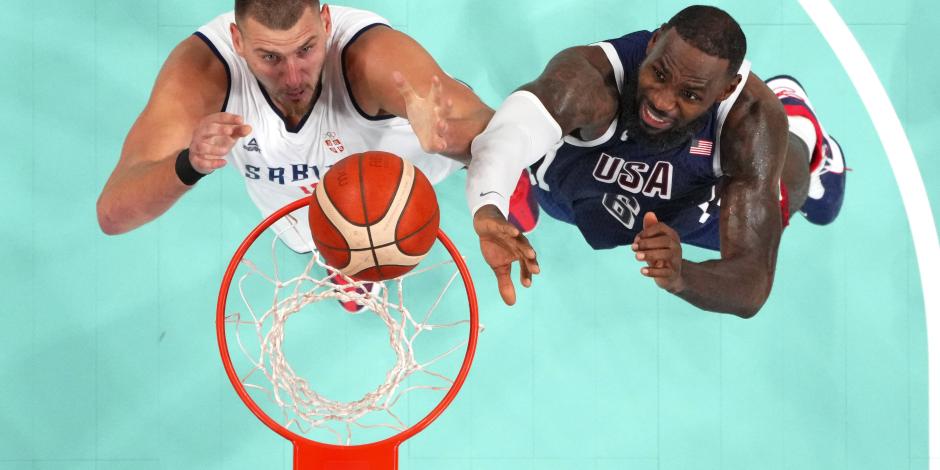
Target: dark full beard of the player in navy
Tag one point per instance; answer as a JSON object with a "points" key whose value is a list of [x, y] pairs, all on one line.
{"points": [[636, 130]]}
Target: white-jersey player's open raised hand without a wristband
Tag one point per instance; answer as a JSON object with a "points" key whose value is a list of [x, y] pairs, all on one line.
{"points": [[428, 115]]}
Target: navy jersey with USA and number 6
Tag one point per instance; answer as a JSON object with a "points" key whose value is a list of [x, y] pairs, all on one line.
{"points": [[604, 186]]}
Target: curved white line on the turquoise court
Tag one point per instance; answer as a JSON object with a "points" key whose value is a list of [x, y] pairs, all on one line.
{"points": [[909, 180]]}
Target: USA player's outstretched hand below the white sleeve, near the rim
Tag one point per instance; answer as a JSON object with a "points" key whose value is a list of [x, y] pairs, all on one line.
{"points": [[502, 244]]}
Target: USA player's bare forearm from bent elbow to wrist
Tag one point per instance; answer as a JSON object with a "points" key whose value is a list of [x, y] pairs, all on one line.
{"points": [[724, 287]]}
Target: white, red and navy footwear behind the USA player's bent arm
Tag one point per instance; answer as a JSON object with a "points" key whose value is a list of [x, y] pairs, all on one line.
{"points": [[827, 165]]}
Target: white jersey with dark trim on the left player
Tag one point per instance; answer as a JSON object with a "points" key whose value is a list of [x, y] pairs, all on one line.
{"points": [[281, 164]]}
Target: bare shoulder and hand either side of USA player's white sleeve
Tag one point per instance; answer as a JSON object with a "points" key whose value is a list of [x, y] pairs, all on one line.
{"points": [[579, 90]]}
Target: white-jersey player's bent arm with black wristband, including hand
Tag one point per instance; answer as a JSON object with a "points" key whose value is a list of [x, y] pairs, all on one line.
{"points": [[182, 113]]}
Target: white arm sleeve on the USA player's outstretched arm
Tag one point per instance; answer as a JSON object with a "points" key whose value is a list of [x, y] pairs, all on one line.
{"points": [[521, 132]]}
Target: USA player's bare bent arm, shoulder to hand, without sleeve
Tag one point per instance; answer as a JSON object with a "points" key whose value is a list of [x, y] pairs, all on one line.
{"points": [[753, 149]]}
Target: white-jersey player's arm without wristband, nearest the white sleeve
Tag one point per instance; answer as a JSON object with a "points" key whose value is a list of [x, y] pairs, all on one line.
{"points": [[390, 73]]}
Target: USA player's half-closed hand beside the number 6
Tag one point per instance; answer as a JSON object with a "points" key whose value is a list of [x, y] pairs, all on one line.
{"points": [[659, 247]]}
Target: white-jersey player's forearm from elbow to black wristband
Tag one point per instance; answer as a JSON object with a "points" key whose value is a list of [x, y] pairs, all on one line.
{"points": [[138, 194]]}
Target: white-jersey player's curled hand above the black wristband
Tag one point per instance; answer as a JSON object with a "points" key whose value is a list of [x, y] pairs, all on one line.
{"points": [[213, 139]]}
